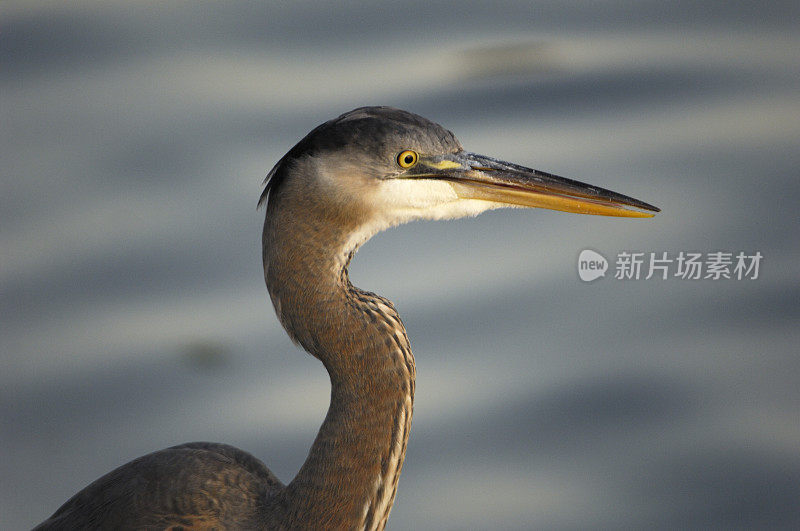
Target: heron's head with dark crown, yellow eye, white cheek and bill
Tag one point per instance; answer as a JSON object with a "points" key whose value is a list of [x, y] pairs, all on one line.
{"points": [[384, 166]]}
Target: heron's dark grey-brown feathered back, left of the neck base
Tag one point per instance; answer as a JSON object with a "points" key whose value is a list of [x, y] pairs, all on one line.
{"points": [[191, 486]]}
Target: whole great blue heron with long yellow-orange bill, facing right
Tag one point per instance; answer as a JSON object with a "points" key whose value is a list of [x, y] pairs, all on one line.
{"points": [[351, 177]]}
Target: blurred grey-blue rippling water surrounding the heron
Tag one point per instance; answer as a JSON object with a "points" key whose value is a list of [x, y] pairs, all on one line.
{"points": [[134, 317]]}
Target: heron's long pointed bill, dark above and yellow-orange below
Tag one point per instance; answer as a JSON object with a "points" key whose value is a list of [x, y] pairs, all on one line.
{"points": [[475, 176]]}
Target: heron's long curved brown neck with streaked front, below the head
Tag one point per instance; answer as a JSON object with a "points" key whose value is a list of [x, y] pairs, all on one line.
{"points": [[350, 476]]}
